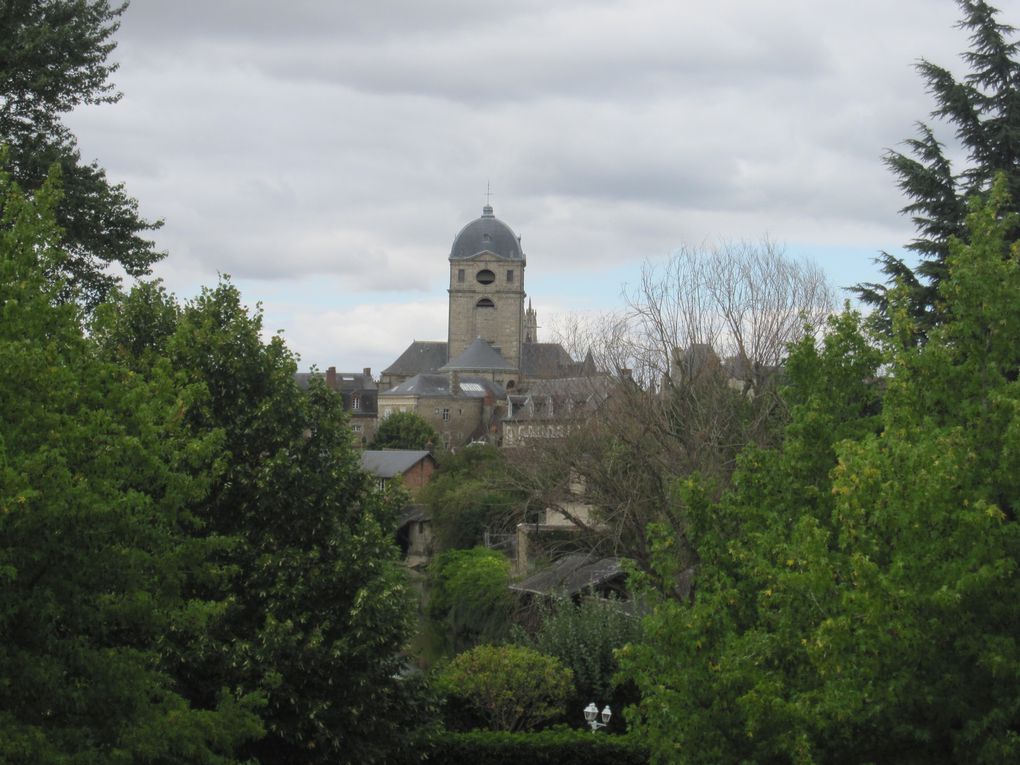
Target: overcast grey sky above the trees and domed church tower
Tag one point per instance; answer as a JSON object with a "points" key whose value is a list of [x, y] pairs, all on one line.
{"points": [[325, 155]]}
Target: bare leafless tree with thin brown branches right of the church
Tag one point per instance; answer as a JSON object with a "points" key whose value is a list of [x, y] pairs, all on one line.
{"points": [[696, 355]]}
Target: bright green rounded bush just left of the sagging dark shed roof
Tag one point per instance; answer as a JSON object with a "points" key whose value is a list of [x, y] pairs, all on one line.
{"points": [[470, 601]]}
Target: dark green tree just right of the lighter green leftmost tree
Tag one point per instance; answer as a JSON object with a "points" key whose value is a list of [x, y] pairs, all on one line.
{"points": [[318, 601]]}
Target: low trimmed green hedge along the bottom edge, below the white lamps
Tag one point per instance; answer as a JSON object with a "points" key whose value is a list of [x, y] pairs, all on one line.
{"points": [[552, 747]]}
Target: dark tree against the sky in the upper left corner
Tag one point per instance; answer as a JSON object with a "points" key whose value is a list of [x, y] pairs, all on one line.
{"points": [[54, 59]]}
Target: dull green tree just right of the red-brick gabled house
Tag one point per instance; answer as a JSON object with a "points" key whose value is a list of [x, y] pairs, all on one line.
{"points": [[470, 493]]}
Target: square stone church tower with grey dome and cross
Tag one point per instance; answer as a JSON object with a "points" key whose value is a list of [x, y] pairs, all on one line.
{"points": [[487, 289]]}
